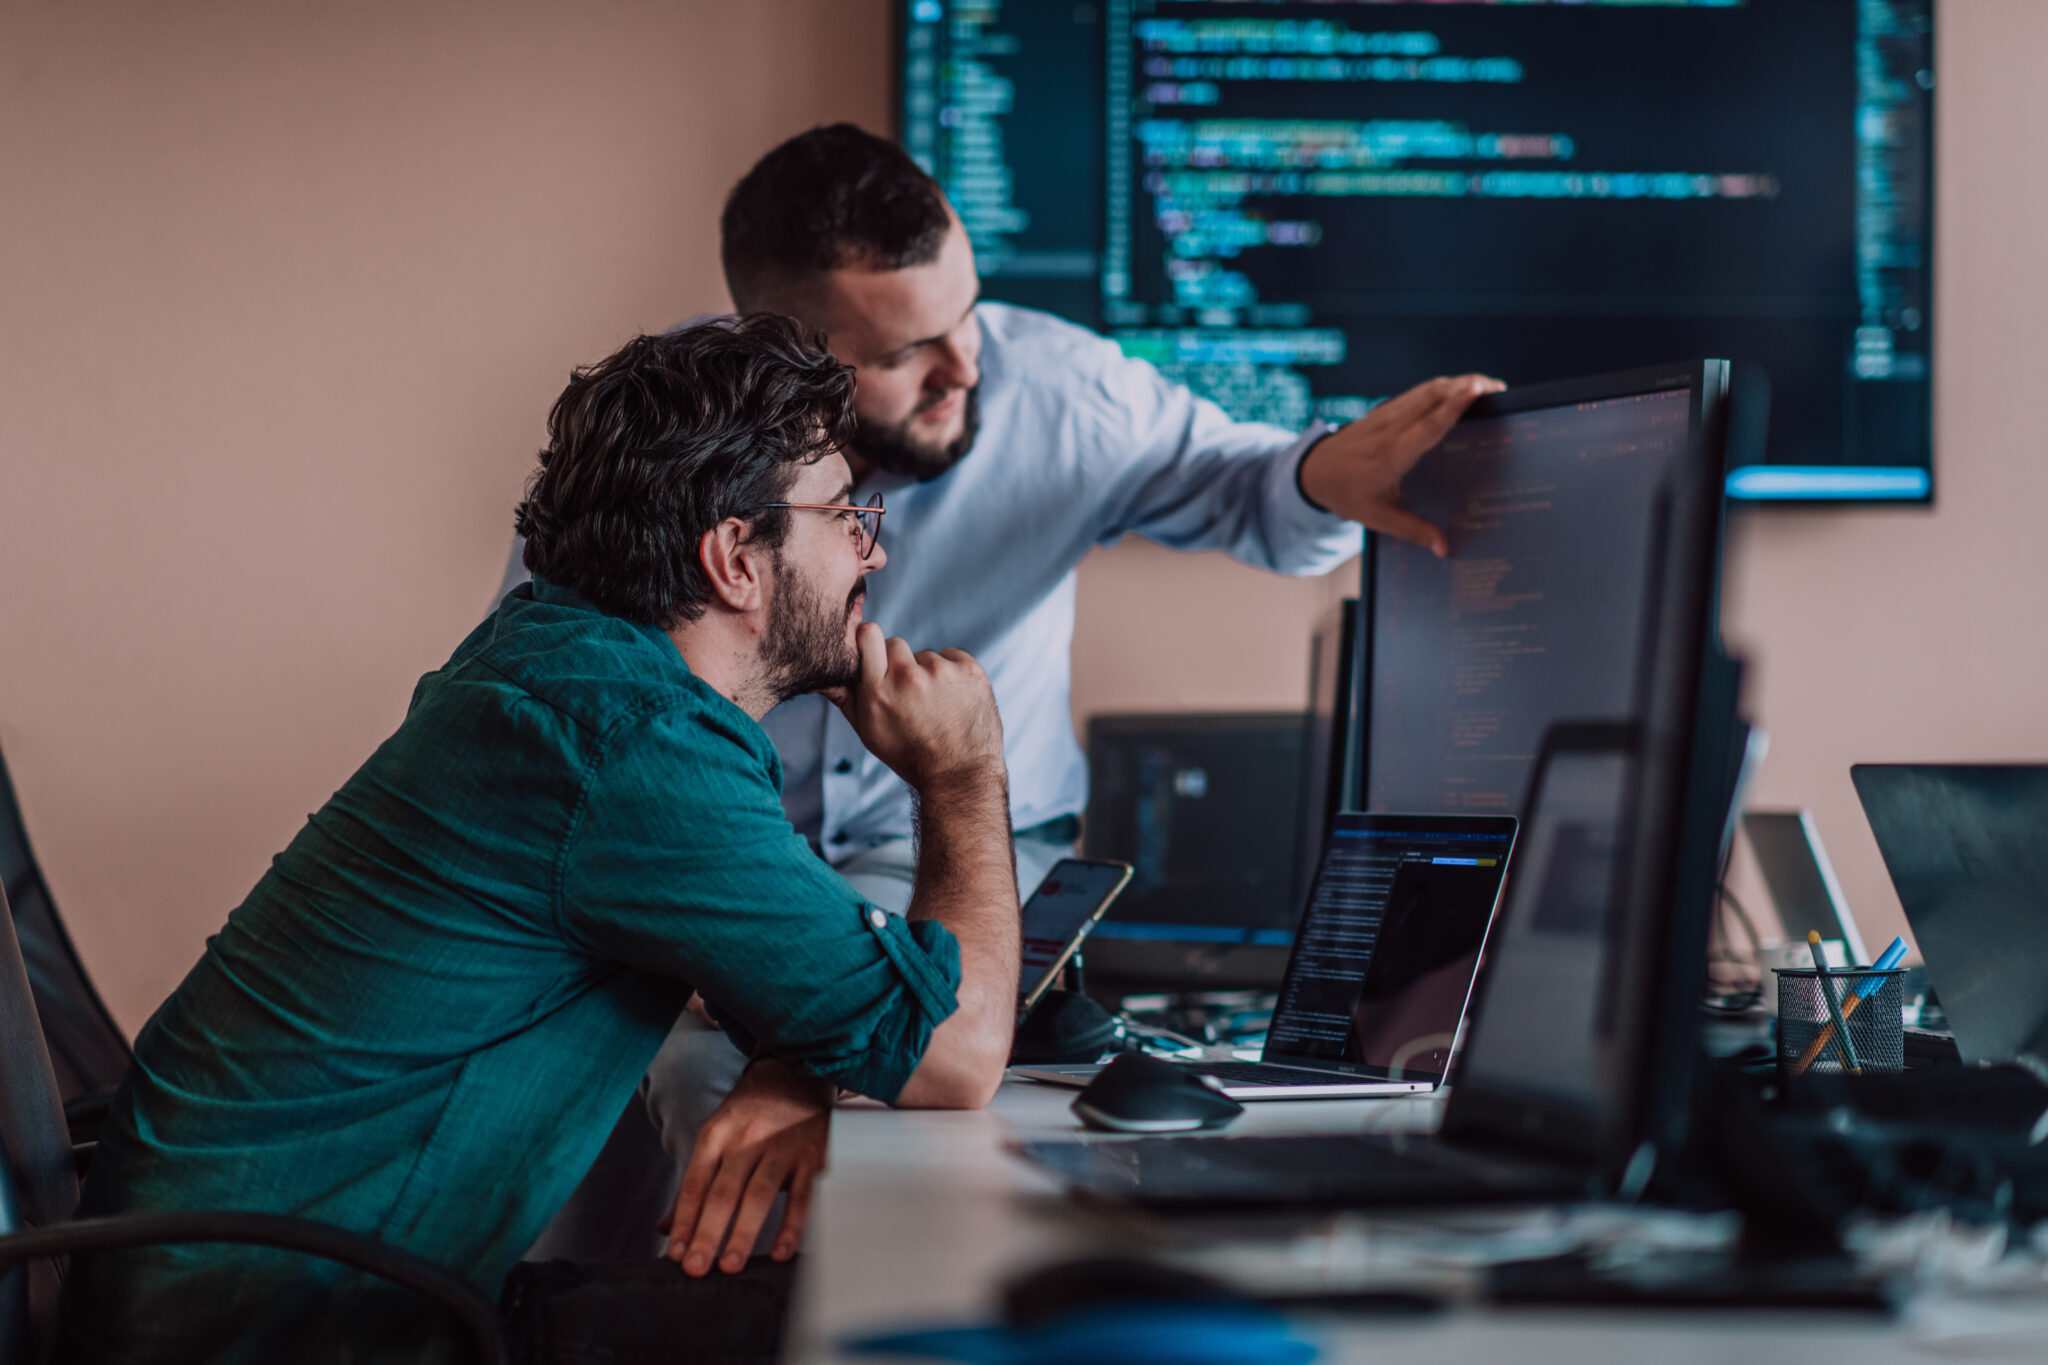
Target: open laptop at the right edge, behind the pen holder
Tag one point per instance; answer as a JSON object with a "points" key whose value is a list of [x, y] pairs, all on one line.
{"points": [[1967, 852]]}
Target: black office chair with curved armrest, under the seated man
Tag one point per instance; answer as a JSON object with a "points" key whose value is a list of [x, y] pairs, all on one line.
{"points": [[40, 1196]]}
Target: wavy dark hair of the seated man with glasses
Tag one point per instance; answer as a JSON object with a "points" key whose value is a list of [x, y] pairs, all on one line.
{"points": [[663, 441]]}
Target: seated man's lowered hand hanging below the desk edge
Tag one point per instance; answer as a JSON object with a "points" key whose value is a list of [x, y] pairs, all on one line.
{"points": [[765, 1139]]}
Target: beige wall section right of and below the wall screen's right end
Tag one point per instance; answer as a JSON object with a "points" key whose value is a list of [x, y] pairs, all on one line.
{"points": [[1922, 635]]}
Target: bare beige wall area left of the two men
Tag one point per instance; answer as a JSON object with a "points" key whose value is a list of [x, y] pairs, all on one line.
{"points": [[288, 292]]}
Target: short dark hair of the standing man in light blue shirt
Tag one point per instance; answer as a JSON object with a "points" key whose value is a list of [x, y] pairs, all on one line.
{"points": [[826, 200]]}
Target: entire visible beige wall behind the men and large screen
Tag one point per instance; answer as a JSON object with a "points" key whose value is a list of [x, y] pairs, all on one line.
{"points": [[286, 292]]}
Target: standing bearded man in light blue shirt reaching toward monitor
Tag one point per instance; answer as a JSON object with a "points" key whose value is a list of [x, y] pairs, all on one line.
{"points": [[1011, 445]]}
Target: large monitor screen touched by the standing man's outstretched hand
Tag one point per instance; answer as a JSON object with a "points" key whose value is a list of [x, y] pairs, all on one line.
{"points": [[1553, 498]]}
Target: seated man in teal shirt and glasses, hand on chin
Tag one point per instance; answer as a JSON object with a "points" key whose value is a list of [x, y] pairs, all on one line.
{"points": [[429, 1014]]}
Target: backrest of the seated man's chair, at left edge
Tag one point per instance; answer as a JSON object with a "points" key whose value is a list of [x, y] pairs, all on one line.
{"points": [[38, 1180]]}
